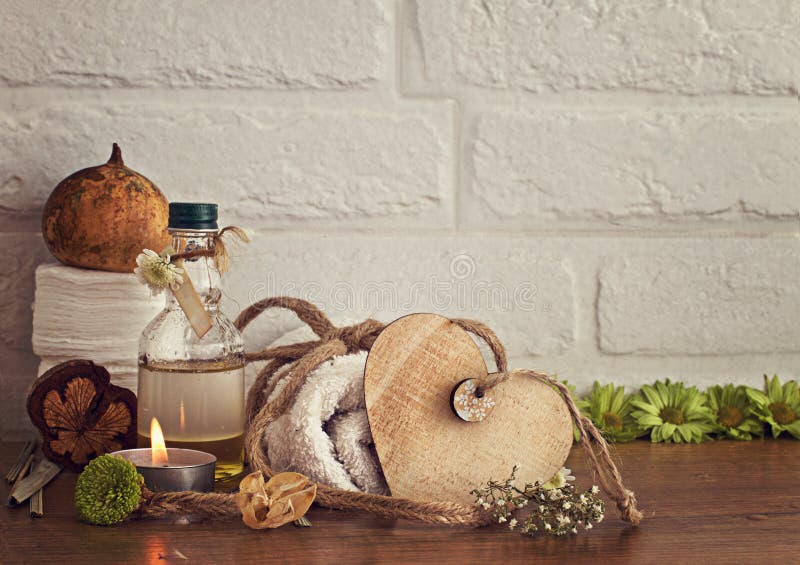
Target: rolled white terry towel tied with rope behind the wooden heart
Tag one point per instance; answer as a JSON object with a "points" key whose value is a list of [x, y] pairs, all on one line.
{"points": [[325, 433]]}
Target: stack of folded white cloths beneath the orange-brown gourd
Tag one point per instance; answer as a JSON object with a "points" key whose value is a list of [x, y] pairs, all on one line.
{"points": [[95, 315]]}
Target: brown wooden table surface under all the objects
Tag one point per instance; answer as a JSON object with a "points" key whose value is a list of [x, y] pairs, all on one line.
{"points": [[722, 502]]}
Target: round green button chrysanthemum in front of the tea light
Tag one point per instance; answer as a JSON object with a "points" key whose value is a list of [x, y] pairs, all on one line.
{"points": [[108, 490]]}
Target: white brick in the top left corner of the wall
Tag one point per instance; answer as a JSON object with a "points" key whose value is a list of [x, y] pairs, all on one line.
{"points": [[289, 44]]}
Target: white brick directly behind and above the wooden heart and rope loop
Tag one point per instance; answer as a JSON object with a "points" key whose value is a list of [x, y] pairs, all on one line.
{"points": [[507, 283]]}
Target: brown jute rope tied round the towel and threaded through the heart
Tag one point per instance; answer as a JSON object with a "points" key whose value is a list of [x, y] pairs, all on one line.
{"points": [[300, 359]]}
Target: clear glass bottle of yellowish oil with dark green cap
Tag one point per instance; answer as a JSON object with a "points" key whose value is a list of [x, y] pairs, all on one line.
{"points": [[194, 386]]}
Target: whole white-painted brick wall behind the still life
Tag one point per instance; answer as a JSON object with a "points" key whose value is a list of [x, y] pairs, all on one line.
{"points": [[611, 185]]}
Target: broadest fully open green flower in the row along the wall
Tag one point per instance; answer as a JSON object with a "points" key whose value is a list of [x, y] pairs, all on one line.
{"points": [[673, 413]]}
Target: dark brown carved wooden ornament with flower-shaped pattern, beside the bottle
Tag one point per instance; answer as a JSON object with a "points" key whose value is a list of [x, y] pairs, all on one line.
{"points": [[80, 414]]}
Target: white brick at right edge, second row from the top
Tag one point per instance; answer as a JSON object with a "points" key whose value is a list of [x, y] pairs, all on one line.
{"points": [[657, 166]]}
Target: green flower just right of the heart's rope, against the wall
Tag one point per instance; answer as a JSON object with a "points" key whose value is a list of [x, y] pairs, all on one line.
{"points": [[610, 410]]}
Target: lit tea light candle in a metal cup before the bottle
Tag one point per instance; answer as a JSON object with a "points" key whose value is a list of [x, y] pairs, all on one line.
{"points": [[172, 469]]}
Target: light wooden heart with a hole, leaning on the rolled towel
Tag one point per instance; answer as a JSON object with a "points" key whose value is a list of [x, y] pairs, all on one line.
{"points": [[429, 454]]}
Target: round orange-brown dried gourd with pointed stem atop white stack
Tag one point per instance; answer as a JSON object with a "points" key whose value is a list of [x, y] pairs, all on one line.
{"points": [[102, 217]]}
